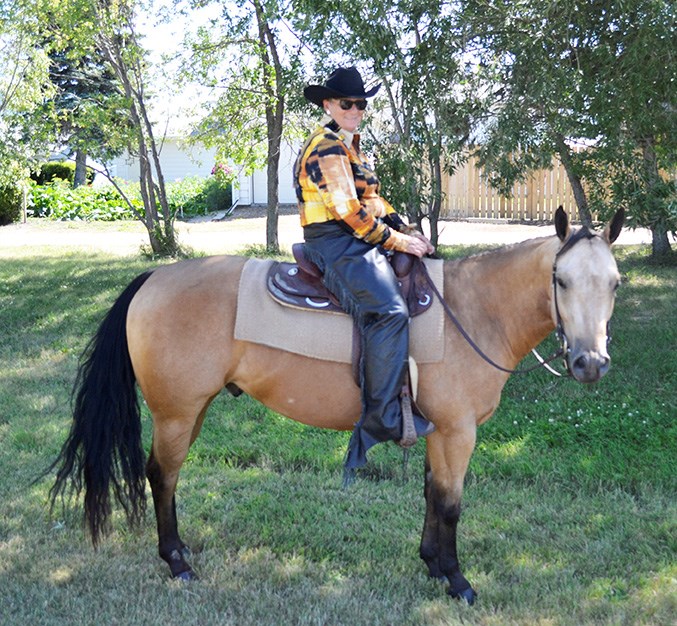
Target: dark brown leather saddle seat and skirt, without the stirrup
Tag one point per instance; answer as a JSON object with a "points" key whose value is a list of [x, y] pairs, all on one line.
{"points": [[300, 285]]}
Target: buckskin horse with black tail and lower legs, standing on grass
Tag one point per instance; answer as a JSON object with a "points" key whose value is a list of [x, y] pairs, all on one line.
{"points": [[171, 332]]}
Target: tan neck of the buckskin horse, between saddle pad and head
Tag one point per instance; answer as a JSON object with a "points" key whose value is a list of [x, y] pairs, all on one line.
{"points": [[508, 293]]}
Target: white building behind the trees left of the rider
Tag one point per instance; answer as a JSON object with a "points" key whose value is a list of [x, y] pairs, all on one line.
{"points": [[180, 160]]}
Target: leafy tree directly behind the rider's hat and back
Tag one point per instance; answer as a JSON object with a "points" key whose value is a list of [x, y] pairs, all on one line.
{"points": [[424, 119]]}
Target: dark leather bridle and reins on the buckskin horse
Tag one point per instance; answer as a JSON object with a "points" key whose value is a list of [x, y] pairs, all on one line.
{"points": [[564, 349]]}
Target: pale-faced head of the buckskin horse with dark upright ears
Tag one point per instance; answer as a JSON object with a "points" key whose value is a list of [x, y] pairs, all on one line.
{"points": [[584, 282]]}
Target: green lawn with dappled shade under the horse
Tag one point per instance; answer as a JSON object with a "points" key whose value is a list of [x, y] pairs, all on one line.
{"points": [[569, 510]]}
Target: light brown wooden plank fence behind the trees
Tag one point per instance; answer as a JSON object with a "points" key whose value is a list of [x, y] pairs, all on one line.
{"points": [[467, 194]]}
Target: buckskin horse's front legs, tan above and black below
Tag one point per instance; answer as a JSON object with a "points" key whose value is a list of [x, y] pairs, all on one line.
{"points": [[446, 464]]}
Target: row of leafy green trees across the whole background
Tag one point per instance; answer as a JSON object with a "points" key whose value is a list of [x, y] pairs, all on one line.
{"points": [[519, 82]]}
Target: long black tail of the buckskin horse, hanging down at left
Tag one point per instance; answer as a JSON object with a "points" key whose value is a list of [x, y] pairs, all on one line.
{"points": [[104, 444]]}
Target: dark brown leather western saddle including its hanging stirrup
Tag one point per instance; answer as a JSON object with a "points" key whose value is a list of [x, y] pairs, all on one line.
{"points": [[300, 285]]}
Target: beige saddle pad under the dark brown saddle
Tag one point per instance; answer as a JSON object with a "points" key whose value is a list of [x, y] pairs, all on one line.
{"points": [[319, 334]]}
